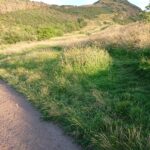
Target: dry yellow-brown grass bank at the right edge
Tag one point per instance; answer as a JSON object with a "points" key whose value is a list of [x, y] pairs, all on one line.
{"points": [[134, 35]]}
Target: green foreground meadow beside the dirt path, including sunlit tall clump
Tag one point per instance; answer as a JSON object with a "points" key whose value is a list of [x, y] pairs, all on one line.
{"points": [[100, 97]]}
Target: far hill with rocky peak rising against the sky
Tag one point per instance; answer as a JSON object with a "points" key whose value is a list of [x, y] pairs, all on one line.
{"points": [[123, 10]]}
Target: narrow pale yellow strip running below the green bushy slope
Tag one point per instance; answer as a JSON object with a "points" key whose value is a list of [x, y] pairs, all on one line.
{"points": [[58, 41]]}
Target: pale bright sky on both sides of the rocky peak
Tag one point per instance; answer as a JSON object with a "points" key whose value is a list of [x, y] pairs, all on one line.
{"points": [[140, 3]]}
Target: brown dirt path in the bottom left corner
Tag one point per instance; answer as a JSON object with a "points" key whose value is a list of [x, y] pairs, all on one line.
{"points": [[22, 129]]}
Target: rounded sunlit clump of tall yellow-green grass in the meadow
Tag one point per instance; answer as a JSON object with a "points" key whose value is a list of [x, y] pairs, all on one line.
{"points": [[86, 60]]}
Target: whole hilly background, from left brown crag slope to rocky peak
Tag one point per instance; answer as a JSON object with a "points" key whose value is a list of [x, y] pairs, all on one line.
{"points": [[23, 20]]}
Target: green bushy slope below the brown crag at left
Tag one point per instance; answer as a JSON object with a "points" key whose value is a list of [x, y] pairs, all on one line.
{"points": [[36, 24]]}
